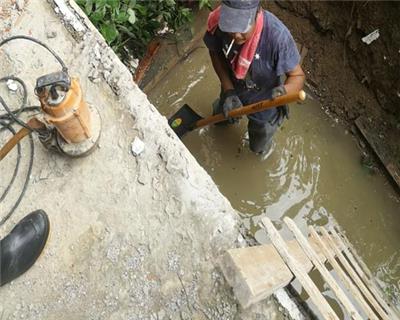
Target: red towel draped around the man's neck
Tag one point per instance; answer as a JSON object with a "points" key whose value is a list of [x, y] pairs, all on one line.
{"points": [[241, 62]]}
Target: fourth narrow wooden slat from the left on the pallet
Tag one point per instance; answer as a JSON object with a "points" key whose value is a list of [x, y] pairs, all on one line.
{"points": [[355, 277]]}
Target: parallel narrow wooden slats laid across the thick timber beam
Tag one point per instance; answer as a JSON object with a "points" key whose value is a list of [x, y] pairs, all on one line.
{"points": [[361, 298]]}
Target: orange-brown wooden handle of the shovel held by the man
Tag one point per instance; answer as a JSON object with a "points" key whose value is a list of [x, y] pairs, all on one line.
{"points": [[253, 108]]}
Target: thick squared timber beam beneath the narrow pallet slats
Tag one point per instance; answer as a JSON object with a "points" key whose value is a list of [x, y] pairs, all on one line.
{"points": [[257, 272]]}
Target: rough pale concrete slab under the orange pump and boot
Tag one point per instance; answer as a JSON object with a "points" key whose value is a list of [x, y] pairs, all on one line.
{"points": [[131, 237]]}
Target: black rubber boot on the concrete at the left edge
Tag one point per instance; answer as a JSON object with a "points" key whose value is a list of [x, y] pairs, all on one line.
{"points": [[20, 249]]}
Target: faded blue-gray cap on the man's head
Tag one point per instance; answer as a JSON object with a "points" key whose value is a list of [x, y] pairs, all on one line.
{"points": [[237, 15]]}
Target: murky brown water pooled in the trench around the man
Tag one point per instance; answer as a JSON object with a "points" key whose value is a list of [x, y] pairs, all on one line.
{"points": [[313, 175]]}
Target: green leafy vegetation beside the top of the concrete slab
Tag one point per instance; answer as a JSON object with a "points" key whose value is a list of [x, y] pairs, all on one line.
{"points": [[128, 25]]}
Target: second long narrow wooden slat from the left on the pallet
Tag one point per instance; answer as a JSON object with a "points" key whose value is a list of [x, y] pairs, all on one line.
{"points": [[342, 297]]}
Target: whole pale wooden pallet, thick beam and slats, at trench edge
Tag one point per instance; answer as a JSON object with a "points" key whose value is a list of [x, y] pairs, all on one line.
{"points": [[257, 272]]}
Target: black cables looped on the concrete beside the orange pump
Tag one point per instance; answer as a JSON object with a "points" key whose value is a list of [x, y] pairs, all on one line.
{"points": [[11, 117]]}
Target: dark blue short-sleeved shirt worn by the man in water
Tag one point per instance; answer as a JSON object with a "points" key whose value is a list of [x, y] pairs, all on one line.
{"points": [[276, 55]]}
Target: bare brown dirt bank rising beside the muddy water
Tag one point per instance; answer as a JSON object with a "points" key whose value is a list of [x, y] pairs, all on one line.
{"points": [[350, 78]]}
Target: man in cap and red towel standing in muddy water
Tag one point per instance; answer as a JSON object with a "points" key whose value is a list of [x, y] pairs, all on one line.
{"points": [[251, 51]]}
